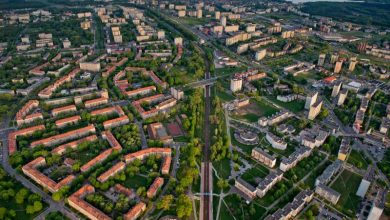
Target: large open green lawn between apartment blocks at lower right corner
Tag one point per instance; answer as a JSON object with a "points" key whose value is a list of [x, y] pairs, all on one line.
{"points": [[347, 184]]}
